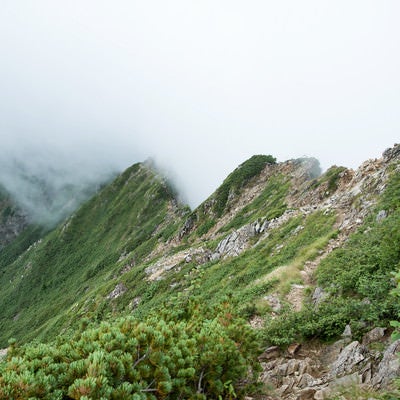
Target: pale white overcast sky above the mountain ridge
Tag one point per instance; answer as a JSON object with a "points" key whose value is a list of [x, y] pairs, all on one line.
{"points": [[200, 85]]}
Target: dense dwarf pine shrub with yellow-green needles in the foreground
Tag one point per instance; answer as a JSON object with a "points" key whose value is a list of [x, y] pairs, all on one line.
{"points": [[186, 355]]}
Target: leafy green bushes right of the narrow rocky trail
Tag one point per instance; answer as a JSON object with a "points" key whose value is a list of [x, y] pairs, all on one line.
{"points": [[358, 279]]}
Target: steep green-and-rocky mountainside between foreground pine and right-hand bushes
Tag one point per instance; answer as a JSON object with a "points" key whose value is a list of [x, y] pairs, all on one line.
{"points": [[264, 228]]}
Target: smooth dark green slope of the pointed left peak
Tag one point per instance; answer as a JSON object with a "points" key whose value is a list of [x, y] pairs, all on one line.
{"points": [[127, 217]]}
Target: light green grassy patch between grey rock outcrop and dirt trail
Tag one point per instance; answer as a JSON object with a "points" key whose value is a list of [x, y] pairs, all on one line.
{"points": [[245, 278]]}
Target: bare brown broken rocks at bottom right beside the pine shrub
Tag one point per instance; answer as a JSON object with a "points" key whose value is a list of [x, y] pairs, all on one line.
{"points": [[320, 372]]}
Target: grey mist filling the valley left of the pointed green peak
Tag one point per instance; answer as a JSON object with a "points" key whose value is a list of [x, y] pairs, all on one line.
{"points": [[49, 187]]}
